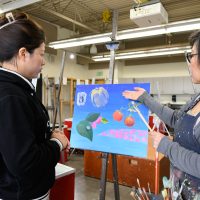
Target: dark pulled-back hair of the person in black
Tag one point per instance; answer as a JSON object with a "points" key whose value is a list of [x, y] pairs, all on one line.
{"points": [[23, 32]]}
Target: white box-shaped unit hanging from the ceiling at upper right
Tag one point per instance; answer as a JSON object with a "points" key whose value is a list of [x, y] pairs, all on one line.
{"points": [[149, 14]]}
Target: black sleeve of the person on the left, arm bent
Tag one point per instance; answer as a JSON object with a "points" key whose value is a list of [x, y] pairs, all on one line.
{"points": [[18, 146]]}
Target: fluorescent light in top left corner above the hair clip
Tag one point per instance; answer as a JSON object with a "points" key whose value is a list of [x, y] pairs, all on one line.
{"points": [[8, 5]]}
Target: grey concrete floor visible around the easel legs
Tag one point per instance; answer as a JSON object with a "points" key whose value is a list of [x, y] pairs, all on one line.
{"points": [[87, 188]]}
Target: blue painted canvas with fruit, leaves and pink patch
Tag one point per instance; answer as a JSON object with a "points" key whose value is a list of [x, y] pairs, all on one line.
{"points": [[107, 122]]}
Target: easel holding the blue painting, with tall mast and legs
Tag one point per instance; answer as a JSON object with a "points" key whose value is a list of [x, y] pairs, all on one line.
{"points": [[102, 190]]}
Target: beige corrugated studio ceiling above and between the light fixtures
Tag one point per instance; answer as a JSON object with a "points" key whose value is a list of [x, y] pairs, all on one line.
{"points": [[84, 17]]}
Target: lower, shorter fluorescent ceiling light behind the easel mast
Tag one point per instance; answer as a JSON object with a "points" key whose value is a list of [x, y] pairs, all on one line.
{"points": [[141, 54]]}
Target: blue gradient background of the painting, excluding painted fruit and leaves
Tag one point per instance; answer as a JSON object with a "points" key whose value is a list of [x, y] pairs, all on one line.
{"points": [[116, 102]]}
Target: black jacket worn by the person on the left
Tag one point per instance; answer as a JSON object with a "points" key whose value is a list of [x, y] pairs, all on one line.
{"points": [[27, 156]]}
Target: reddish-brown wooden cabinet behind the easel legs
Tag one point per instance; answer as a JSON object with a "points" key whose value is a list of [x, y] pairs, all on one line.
{"points": [[129, 168]]}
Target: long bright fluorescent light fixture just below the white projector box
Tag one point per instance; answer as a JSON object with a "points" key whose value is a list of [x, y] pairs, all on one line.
{"points": [[181, 26]]}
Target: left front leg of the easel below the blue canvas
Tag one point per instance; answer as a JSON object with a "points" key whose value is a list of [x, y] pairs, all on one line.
{"points": [[102, 190]]}
